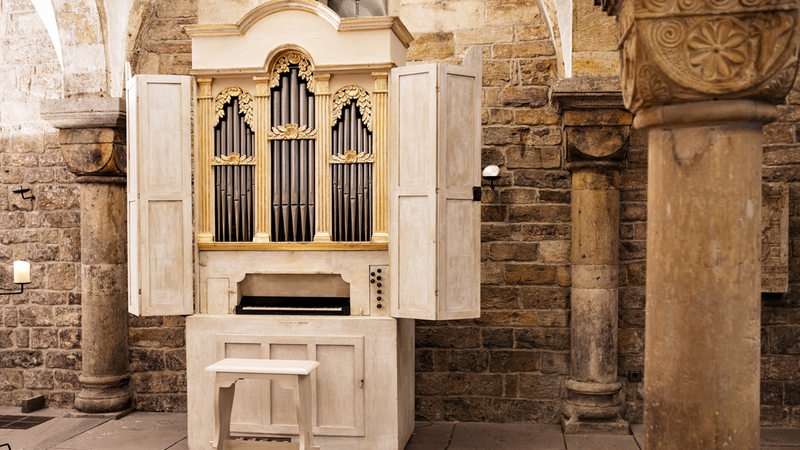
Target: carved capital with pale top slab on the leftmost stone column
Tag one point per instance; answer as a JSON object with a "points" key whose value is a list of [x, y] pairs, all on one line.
{"points": [[91, 134]]}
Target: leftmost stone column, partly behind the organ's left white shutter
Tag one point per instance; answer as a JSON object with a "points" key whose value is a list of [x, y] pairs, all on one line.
{"points": [[92, 138]]}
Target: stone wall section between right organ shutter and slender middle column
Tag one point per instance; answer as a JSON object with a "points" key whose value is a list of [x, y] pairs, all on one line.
{"points": [[510, 365]]}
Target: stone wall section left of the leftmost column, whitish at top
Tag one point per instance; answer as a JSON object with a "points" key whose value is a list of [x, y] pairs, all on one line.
{"points": [[39, 330]]}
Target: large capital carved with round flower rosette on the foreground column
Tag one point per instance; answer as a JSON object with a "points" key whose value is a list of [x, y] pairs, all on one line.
{"points": [[679, 51]]}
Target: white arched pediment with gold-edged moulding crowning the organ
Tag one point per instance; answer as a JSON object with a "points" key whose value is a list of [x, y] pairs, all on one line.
{"points": [[307, 24]]}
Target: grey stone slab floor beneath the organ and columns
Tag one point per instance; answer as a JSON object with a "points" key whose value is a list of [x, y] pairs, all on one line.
{"points": [[162, 431]]}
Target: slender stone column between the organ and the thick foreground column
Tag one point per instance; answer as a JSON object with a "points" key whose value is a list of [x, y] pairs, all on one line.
{"points": [[596, 131]]}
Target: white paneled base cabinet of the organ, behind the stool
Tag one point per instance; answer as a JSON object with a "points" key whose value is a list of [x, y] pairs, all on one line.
{"points": [[363, 390]]}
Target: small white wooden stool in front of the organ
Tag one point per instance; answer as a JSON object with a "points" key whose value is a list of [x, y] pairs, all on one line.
{"points": [[290, 374]]}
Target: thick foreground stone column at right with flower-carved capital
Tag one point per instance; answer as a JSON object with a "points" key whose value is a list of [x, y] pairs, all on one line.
{"points": [[702, 77]]}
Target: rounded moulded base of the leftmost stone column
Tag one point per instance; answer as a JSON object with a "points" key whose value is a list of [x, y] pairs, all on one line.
{"points": [[103, 395]]}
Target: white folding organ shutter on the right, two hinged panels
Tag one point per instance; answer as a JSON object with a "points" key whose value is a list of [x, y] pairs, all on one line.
{"points": [[435, 224]]}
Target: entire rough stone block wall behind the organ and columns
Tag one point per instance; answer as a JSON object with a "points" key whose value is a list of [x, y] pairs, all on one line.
{"points": [[508, 366]]}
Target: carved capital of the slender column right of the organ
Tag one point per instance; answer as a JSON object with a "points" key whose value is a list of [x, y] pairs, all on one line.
{"points": [[596, 126]]}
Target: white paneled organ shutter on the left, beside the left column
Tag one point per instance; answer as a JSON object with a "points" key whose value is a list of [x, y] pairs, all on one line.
{"points": [[159, 195]]}
